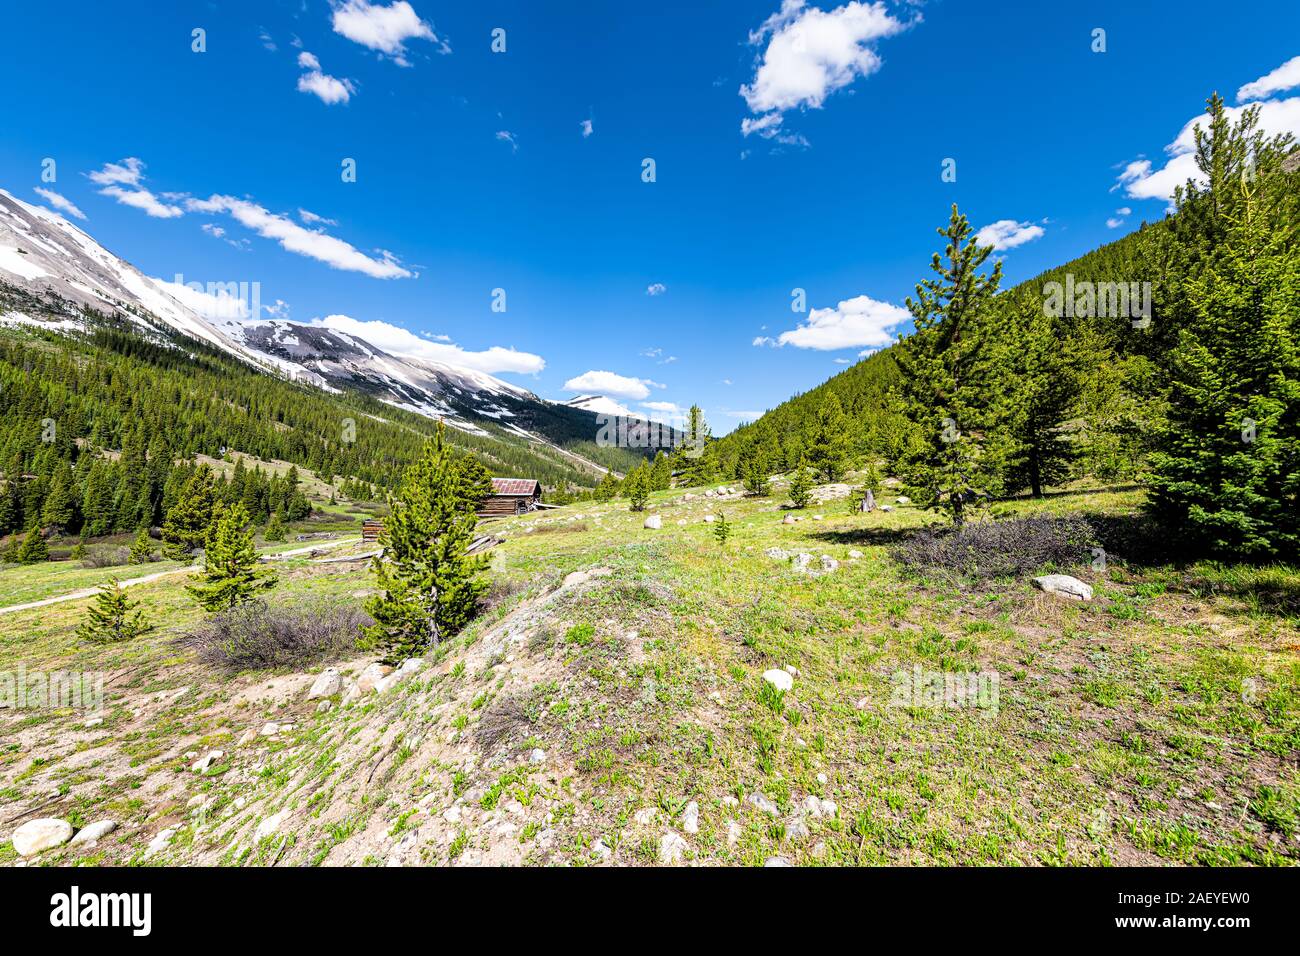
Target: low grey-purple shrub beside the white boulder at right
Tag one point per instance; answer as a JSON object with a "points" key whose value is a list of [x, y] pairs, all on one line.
{"points": [[1000, 548]]}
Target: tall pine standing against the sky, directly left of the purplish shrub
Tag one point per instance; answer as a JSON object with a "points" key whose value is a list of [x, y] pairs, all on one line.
{"points": [[946, 393]]}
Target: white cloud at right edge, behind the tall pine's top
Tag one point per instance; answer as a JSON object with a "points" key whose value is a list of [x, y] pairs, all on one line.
{"points": [[1142, 180]]}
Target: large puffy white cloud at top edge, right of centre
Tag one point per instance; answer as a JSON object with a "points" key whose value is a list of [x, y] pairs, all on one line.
{"points": [[812, 54]]}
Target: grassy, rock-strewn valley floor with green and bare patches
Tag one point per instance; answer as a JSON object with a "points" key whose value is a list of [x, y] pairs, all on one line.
{"points": [[610, 708]]}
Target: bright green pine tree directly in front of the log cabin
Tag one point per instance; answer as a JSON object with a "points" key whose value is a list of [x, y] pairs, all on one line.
{"points": [[431, 585]]}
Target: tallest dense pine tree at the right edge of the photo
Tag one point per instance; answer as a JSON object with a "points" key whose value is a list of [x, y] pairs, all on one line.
{"points": [[1228, 473]]}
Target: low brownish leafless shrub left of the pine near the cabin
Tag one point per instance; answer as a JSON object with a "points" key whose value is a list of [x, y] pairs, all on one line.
{"points": [[255, 637]]}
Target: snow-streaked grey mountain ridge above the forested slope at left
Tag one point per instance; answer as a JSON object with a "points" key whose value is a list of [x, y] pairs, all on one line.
{"points": [[57, 272]]}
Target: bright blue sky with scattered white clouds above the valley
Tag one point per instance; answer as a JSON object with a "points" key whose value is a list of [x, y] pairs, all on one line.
{"points": [[796, 146]]}
